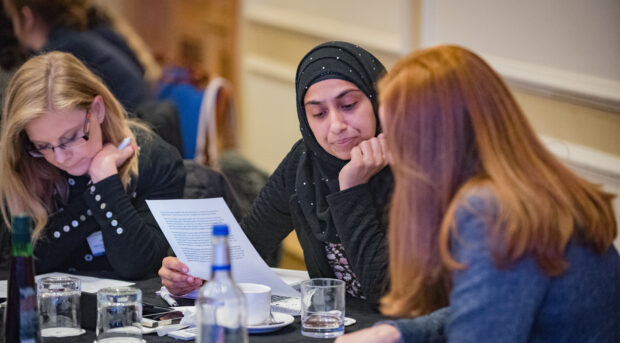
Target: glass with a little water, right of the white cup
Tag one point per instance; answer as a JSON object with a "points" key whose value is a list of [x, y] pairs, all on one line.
{"points": [[322, 308]]}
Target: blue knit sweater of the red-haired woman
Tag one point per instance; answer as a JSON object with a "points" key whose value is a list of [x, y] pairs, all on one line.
{"points": [[521, 303]]}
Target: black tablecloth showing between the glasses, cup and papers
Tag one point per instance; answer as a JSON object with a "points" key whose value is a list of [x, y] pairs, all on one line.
{"points": [[355, 308]]}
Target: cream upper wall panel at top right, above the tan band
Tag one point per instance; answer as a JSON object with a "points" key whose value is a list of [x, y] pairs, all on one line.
{"points": [[568, 48]]}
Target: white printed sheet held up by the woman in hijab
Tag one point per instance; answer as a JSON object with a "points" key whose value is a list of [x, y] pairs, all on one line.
{"points": [[188, 224]]}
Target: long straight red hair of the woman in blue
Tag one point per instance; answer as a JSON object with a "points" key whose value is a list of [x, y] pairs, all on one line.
{"points": [[452, 126]]}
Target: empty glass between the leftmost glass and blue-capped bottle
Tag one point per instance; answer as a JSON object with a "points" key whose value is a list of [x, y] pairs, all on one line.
{"points": [[119, 315]]}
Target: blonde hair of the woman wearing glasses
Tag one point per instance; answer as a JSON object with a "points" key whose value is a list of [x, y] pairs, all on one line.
{"points": [[53, 81]]}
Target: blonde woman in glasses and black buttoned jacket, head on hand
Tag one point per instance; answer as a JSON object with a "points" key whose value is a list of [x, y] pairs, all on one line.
{"points": [[66, 162]]}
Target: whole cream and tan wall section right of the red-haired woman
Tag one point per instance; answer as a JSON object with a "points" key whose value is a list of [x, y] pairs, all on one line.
{"points": [[567, 50]]}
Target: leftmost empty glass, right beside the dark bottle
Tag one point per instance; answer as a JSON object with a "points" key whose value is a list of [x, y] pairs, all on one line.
{"points": [[59, 306]]}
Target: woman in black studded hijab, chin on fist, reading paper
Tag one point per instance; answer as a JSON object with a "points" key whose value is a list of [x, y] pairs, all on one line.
{"points": [[333, 187]]}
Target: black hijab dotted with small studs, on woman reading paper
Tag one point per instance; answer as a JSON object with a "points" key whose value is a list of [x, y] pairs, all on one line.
{"points": [[317, 172]]}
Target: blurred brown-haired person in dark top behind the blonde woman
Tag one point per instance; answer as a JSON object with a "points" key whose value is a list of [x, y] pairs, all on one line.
{"points": [[63, 25]]}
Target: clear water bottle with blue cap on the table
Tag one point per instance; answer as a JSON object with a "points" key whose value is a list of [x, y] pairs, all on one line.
{"points": [[221, 311]]}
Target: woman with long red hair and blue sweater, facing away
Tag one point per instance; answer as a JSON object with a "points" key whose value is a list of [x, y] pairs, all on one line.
{"points": [[491, 238]]}
